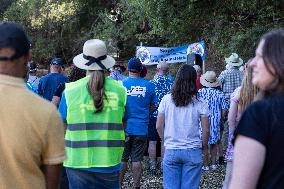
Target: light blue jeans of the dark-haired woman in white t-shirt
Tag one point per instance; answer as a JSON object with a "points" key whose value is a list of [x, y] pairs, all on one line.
{"points": [[182, 168]]}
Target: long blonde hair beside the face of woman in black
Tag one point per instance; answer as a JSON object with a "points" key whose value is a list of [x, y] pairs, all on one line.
{"points": [[248, 91]]}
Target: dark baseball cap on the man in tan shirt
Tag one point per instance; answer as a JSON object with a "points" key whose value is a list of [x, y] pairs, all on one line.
{"points": [[12, 35]]}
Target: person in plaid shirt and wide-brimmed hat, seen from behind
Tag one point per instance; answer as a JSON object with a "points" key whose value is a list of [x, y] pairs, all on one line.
{"points": [[231, 78]]}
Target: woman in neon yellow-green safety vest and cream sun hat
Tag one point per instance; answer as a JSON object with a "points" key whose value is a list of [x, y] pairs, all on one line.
{"points": [[93, 108]]}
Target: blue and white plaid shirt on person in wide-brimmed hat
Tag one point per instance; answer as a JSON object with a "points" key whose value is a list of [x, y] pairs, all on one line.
{"points": [[230, 80]]}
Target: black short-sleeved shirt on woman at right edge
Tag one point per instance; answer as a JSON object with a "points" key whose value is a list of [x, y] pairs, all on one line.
{"points": [[264, 122]]}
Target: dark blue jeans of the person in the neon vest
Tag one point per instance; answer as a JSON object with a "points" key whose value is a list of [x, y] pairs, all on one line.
{"points": [[79, 179]]}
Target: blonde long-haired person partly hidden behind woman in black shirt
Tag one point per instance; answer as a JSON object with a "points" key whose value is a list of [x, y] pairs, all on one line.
{"points": [[240, 99]]}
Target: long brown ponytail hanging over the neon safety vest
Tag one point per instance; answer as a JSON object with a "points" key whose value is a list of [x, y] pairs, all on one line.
{"points": [[96, 88]]}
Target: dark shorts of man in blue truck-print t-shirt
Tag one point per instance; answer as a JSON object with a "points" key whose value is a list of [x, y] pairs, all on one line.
{"points": [[135, 147]]}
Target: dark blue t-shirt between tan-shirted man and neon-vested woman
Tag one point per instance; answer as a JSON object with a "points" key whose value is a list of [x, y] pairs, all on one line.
{"points": [[49, 83]]}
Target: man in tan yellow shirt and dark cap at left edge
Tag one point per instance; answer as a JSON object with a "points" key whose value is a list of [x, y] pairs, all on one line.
{"points": [[31, 132]]}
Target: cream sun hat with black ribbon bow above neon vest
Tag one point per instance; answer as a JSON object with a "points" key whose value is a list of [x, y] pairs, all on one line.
{"points": [[94, 56]]}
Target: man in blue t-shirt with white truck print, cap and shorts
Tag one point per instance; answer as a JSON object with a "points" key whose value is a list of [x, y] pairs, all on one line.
{"points": [[140, 97]]}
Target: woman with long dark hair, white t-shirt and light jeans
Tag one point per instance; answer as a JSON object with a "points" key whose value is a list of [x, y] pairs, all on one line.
{"points": [[178, 128]]}
